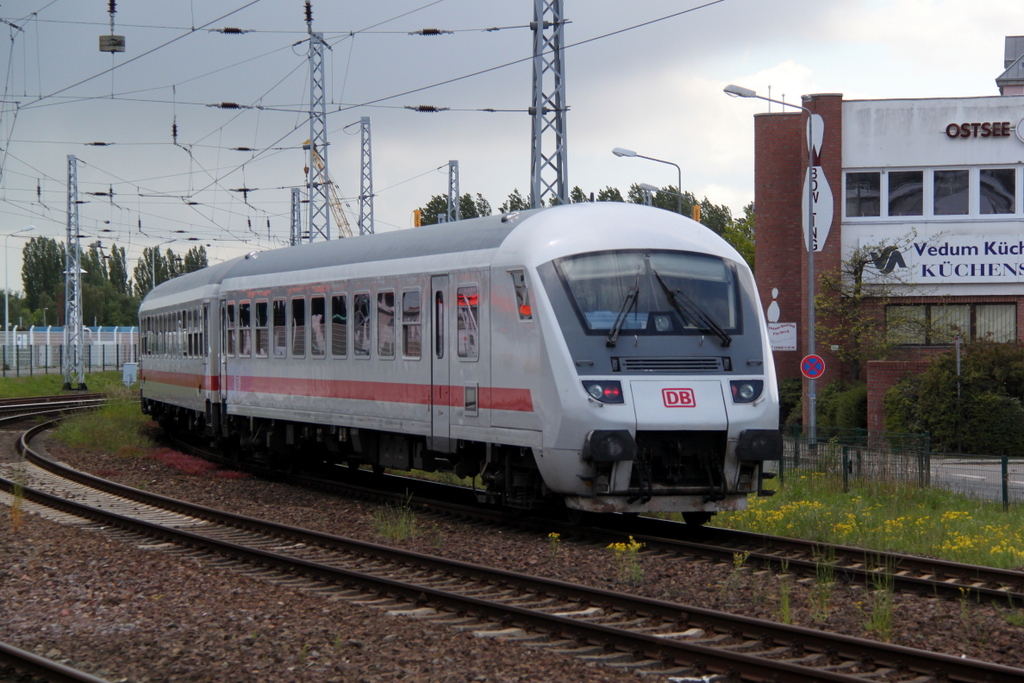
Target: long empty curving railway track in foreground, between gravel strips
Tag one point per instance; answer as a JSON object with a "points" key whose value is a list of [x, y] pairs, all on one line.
{"points": [[655, 637]]}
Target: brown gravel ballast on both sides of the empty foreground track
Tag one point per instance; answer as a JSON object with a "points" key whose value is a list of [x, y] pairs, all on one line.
{"points": [[123, 613]]}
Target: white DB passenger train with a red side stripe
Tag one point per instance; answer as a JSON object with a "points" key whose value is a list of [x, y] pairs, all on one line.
{"points": [[610, 357]]}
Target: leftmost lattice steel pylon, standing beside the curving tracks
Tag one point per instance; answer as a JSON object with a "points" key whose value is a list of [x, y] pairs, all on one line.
{"points": [[74, 337]]}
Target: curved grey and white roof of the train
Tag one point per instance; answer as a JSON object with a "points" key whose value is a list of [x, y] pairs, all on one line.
{"points": [[554, 231]]}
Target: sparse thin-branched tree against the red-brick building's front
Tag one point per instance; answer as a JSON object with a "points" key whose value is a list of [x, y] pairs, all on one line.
{"points": [[851, 308]]}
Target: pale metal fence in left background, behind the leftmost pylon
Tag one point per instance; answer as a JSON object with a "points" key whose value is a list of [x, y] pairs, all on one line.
{"points": [[41, 351]]}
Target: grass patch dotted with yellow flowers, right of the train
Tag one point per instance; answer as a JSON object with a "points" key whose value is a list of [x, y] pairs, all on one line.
{"points": [[888, 518]]}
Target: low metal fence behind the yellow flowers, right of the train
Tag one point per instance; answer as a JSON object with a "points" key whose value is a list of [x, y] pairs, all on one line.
{"points": [[904, 459]]}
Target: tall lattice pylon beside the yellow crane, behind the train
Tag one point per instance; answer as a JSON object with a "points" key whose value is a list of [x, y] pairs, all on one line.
{"points": [[319, 181]]}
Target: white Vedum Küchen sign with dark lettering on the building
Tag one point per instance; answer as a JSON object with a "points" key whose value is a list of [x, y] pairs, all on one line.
{"points": [[950, 260]]}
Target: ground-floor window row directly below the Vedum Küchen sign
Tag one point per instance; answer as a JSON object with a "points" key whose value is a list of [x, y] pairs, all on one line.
{"points": [[925, 325]]}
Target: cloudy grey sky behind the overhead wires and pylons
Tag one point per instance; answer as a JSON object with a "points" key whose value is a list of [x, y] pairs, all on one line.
{"points": [[656, 89]]}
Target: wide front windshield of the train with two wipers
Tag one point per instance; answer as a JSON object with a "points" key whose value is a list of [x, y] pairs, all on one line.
{"points": [[653, 293]]}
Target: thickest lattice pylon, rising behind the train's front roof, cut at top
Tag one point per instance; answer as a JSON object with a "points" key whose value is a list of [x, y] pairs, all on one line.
{"points": [[547, 177]]}
